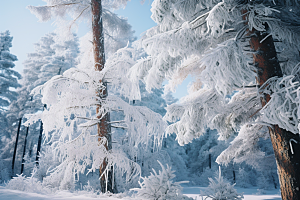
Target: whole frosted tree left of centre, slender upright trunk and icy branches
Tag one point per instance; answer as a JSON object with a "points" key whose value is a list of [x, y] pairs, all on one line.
{"points": [[77, 91]]}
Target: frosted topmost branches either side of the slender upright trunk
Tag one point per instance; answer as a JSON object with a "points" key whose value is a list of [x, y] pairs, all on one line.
{"points": [[60, 10]]}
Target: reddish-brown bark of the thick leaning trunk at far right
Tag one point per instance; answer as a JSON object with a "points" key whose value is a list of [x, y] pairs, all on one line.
{"points": [[287, 159]]}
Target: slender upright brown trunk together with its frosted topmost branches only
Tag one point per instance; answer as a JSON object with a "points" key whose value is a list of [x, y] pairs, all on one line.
{"points": [[93, 12]]}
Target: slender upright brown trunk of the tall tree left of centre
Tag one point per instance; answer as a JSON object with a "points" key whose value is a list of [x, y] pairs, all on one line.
{"points": [[104, 128]]}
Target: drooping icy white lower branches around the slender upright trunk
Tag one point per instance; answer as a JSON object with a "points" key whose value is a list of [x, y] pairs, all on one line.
{"points": [[69, 125]]}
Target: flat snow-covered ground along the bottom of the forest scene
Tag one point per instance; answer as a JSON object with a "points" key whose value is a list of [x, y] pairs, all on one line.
{"points": [[249, 194]]}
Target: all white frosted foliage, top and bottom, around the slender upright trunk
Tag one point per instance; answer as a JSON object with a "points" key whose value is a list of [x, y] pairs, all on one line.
{"points": [[75, 125]]}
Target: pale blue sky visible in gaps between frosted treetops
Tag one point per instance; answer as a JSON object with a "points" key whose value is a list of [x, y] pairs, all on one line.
{"points": [[26, 30]]}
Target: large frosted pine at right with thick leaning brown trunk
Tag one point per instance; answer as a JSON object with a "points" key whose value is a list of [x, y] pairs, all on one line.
{"points": [[229, 47]]}
